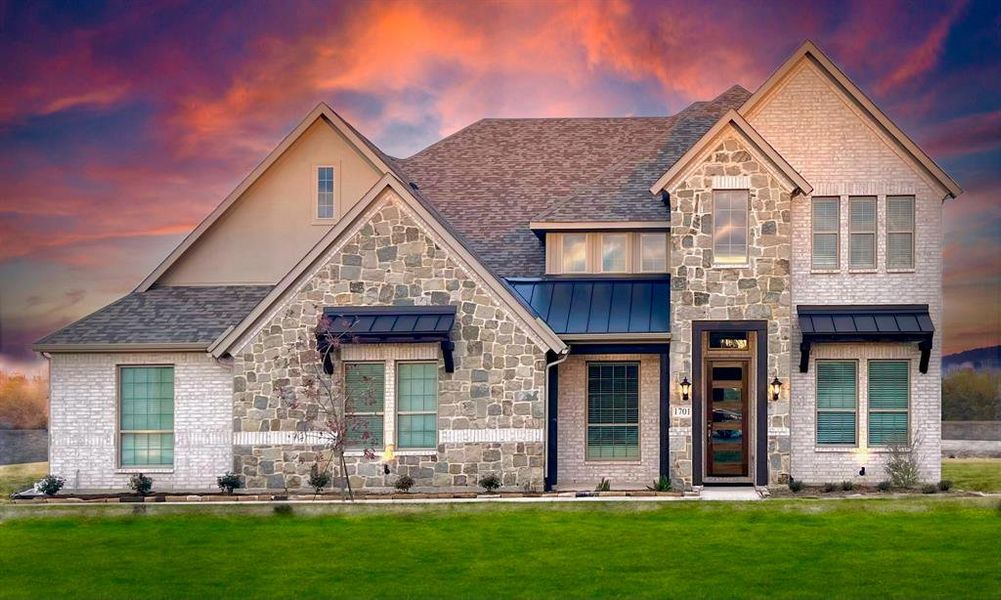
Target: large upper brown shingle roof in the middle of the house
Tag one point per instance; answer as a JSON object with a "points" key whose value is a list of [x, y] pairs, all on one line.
{"points": [[491, 180]]}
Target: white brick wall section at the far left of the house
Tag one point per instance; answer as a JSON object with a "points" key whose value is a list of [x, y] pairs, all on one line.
{"points": [[84, 430]]}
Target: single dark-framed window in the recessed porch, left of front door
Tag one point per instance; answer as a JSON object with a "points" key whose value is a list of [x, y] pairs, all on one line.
{"points": [[613, 411]]}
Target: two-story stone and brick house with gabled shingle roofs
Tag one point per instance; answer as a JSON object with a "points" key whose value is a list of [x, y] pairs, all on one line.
{"points": [[748, 291]]}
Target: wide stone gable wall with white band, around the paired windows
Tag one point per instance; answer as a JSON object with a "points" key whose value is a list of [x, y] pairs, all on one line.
{"points": [[491, 410]]}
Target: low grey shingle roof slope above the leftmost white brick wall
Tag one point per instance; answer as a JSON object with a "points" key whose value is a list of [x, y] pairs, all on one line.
{"points": [[176, 315]]}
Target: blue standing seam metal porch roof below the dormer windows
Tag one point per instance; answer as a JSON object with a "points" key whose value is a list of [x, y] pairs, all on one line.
{"points": [[578, 306]]}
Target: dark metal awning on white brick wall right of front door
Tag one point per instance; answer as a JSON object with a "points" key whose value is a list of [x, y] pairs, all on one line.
{"points": [[866, 323]]}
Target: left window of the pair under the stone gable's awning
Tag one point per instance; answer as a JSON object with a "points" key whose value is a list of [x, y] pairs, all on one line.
{"points": [[365, 405]]}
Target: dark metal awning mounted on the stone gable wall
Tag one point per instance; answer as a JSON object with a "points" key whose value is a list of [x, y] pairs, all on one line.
{"points": [[375, 325]]}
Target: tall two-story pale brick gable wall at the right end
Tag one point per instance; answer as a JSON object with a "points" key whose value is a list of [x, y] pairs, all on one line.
{"points": [[859, 161]]}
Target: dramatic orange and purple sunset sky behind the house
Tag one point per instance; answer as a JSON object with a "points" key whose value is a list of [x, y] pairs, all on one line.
{"points": [[123, 126]]}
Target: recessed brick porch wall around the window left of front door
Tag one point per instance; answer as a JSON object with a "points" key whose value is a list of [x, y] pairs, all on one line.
{"points": [[577, 473]]}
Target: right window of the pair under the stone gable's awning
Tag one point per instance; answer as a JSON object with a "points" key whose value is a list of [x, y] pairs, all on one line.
{"points": [[417, 410]]}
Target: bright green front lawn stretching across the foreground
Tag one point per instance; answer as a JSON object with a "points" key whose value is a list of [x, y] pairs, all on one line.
{"points": [[914, 548]]}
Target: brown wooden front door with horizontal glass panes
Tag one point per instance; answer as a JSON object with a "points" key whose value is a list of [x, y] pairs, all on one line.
{"points": [[727, 418]]}
